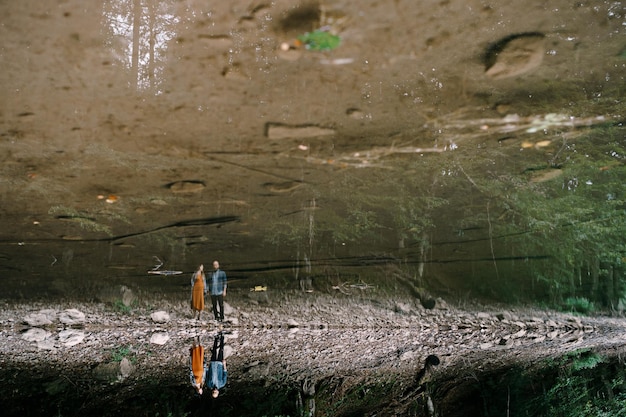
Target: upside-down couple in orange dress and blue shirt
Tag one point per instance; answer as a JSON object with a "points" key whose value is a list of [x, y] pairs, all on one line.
{"points": [[212, 376]]}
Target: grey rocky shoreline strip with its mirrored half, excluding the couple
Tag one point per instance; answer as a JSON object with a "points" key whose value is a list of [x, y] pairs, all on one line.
{"points": [[290, 340]]}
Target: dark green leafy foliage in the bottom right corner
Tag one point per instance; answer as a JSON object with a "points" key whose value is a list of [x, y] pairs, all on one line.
{"points": [[581, 383]]}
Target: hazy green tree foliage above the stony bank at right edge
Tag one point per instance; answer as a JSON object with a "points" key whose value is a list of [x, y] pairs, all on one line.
{"points": [[575, 220]]}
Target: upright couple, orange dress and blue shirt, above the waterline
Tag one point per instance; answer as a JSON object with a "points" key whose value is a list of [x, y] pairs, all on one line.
{"points": [[217, 288]]}
